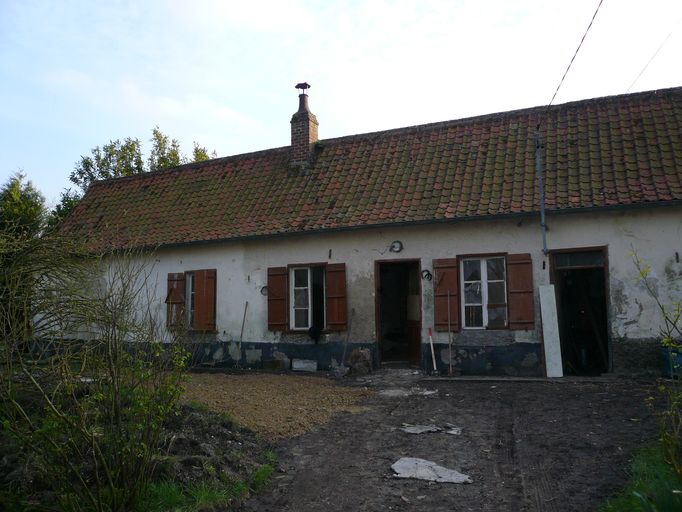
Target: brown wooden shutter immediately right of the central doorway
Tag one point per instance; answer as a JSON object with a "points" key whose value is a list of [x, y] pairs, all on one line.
{"points": [[446, 277]]}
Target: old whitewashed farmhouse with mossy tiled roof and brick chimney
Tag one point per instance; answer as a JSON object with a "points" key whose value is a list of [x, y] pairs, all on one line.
{"points": [[375, 240]]}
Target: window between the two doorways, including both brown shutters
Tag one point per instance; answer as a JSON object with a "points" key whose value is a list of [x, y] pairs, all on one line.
{"points": [[478, 292]]}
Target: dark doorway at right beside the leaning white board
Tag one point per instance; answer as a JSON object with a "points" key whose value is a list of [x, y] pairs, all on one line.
{"points": [[580, 281]]}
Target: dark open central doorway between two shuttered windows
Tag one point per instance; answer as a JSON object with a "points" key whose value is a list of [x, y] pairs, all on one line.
{"points": [[399, 312]]}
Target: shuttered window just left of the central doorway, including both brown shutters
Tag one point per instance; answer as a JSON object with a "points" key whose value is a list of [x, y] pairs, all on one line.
{"points": [[302, 297]]}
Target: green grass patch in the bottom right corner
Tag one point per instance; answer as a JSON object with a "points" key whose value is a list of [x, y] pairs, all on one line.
{"points": [[652, 487]]}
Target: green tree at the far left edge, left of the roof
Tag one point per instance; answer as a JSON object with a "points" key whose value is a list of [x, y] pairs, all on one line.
{"points": [[22, 207]]}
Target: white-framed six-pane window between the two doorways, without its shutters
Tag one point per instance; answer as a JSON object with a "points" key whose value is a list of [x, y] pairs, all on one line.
{"points": [[484, 293]]}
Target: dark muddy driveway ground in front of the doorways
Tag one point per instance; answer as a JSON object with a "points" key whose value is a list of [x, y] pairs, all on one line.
{"points": [[528, 446]]}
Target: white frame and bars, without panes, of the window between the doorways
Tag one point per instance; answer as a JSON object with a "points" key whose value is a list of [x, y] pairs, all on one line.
{"points": [[483, 279]]}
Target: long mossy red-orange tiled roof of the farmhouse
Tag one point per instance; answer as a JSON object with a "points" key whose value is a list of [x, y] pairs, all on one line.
{"points": [[614, 151]]}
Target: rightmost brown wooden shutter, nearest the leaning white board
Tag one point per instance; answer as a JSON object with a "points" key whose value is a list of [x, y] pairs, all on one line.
{"points": [[520, 291]]}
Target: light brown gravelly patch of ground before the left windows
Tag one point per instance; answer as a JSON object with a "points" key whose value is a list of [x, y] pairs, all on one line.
{"points": [[275, 406]]}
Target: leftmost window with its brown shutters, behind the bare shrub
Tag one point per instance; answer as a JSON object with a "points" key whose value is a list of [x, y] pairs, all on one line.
{"points": [[191, 300]]}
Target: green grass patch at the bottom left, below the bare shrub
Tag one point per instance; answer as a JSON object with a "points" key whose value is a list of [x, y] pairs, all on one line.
{"points": [[170, 496]]}
